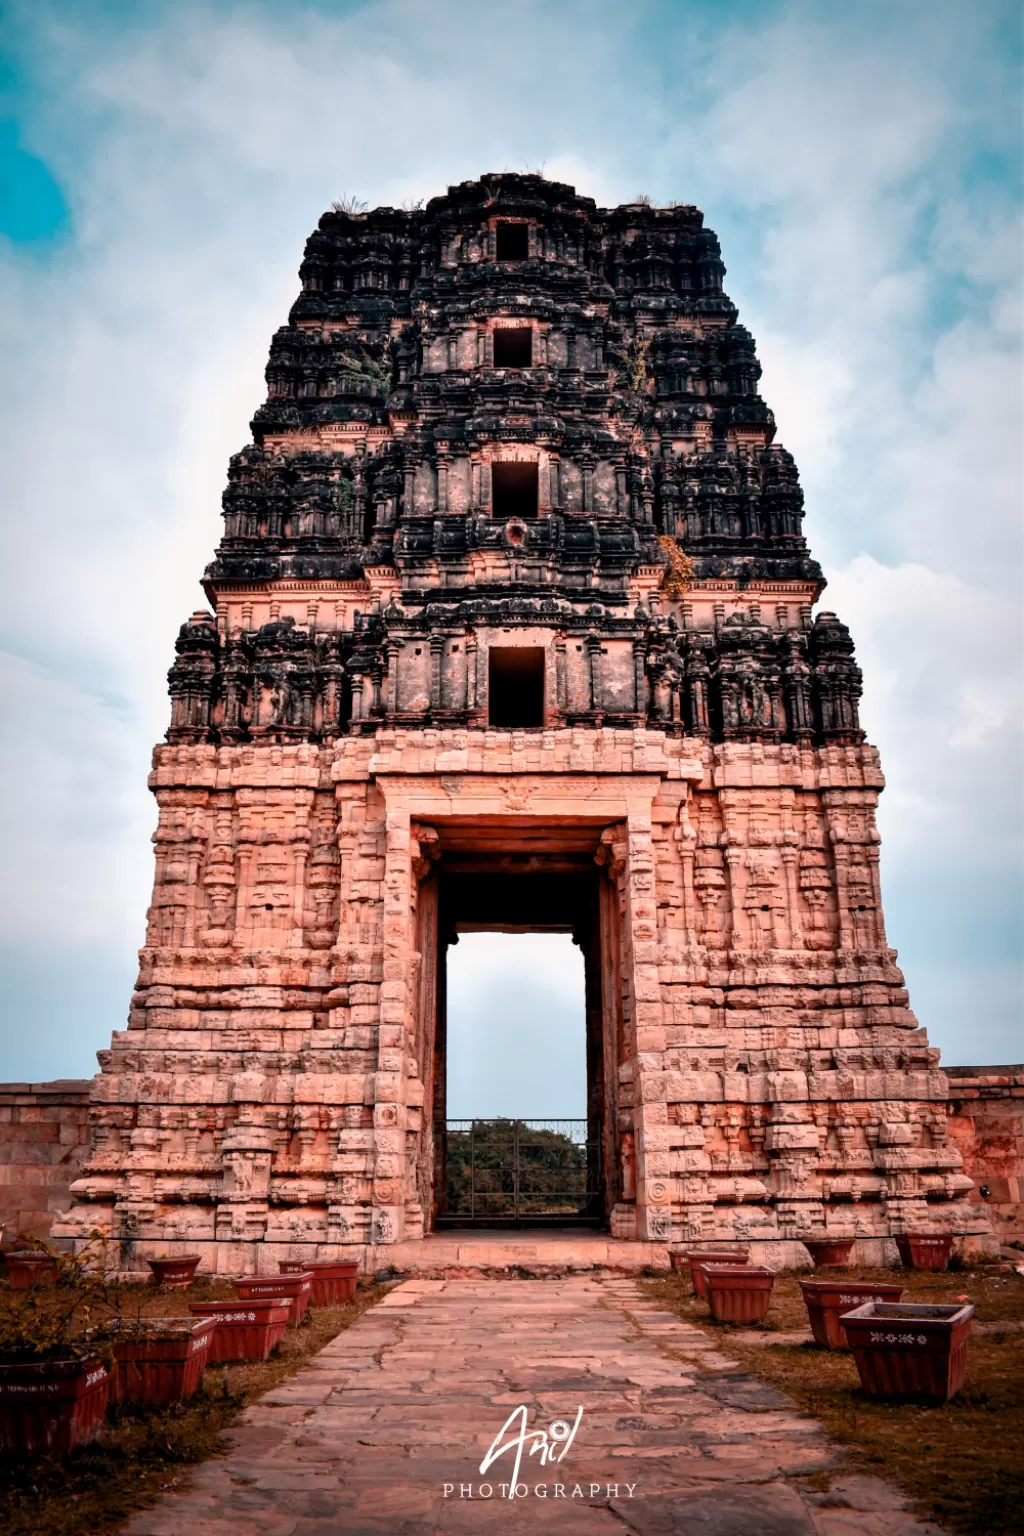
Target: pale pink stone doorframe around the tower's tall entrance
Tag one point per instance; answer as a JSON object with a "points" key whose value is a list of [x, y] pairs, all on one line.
{"points": [[418, 809]]}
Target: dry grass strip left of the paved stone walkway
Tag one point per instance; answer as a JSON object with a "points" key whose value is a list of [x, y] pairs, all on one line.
{"points": [[144, 1452]]}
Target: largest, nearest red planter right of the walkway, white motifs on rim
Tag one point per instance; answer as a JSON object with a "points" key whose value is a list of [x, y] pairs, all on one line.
{"points": [[905, 1351]]}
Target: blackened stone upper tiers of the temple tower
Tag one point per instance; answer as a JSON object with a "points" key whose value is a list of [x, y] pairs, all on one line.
{"points": [[380, 457]]}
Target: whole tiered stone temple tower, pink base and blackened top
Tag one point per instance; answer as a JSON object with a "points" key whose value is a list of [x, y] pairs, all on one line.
{"points": [[512, 626]]}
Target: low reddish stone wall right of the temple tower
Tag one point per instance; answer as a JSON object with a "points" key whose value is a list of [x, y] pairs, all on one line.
{"points": [[986, 1121]]}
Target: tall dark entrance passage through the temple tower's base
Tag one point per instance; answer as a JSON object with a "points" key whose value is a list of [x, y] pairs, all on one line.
{"points": [[494, 1165]]}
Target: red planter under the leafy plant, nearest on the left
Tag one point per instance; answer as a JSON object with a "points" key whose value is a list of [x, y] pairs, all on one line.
{"points": [[47, 1409]]}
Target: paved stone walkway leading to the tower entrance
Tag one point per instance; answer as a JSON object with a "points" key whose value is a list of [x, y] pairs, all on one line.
{"points": [[385, 1434]]}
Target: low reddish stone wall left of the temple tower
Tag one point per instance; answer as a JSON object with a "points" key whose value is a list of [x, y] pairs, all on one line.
{"points": [[44, 1144]]}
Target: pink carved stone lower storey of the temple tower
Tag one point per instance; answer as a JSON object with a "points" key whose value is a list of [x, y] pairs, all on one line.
{"points": [[765, 1076]]}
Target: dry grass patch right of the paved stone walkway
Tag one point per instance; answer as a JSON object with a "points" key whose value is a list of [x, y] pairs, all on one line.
{"points": [[963, 1465]]}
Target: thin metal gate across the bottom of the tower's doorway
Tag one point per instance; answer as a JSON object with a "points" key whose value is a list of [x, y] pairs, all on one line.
{"points": [[520, 1173]]}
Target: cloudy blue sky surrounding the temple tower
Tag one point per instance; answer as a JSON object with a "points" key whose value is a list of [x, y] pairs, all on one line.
{"points": [[160, 170]]}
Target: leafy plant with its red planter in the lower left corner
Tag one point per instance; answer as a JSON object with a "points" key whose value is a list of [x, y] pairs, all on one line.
{"points": [[55, 1359]]}
